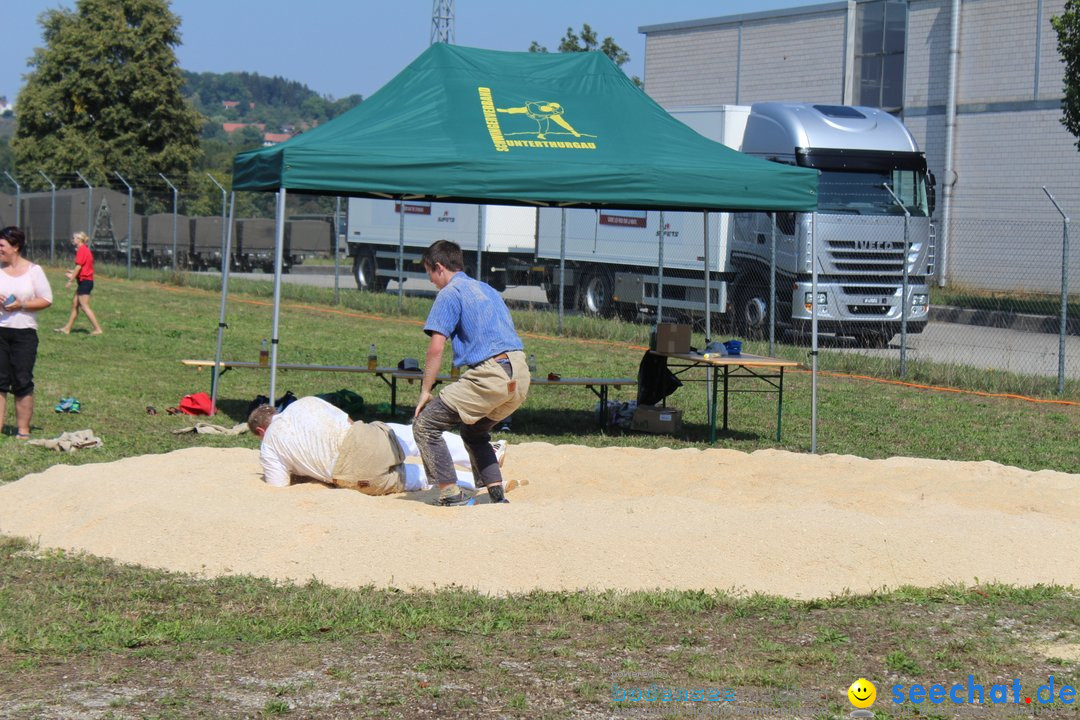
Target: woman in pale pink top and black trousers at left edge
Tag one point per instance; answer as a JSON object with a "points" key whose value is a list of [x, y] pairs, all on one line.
{"points": [[24, 291]]}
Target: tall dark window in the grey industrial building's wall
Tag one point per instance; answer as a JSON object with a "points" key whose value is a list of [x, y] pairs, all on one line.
{"points": [[882, 28]]}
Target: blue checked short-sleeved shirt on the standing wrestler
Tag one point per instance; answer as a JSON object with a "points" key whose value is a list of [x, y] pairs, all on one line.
{"points": [[475, 318]]}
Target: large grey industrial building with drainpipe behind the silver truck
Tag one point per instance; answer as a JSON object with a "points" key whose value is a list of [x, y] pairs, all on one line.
{"points": [[979, 84]]}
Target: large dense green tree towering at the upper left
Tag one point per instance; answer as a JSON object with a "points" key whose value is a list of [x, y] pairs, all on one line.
{"points": [[104, 96]]}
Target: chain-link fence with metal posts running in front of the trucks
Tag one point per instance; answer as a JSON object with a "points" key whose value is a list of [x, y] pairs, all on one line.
{"points": [[994, 324]]}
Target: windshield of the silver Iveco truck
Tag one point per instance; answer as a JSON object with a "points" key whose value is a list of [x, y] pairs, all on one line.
{"points": [[862, 193]]}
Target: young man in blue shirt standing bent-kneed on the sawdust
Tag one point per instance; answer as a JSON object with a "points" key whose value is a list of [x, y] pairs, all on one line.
{"points": [[494, 382]]}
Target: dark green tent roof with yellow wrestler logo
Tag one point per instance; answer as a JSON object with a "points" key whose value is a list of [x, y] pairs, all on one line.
{"points": [[463, 125]]}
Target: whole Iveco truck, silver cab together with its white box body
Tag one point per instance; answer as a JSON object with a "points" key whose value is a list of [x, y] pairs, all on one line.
{"points": [[613, 257]]}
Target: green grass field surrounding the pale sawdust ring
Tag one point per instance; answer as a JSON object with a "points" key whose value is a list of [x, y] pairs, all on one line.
{"points": [[85, 637]]}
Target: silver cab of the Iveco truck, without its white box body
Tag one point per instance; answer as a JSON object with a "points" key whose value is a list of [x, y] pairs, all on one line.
{"points": [[859, 228]]}
